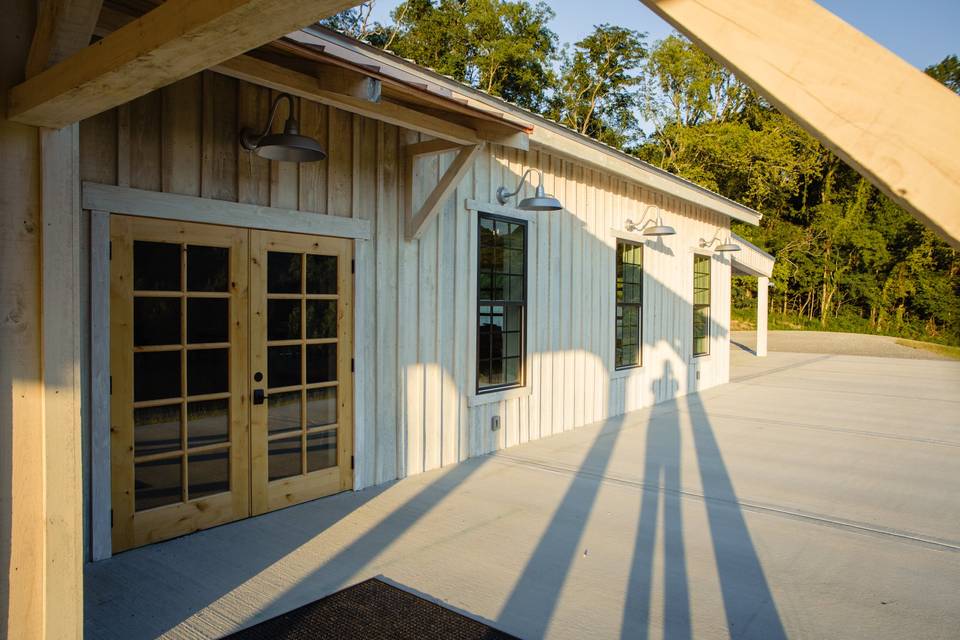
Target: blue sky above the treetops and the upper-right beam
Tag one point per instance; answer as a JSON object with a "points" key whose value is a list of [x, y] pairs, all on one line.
{"points": [[922, 32]]}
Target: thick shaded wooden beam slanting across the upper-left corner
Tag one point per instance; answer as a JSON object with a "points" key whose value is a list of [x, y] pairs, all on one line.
{"points": [[175, 40]]}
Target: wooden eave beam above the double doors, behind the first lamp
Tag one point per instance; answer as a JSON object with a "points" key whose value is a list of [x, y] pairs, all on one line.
{"points": [[280, 78]]}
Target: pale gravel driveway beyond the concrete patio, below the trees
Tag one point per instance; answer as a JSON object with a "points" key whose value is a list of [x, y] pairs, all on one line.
{"points": [[847, 344]]}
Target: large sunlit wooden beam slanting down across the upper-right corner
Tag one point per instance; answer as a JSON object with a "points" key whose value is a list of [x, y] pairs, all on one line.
{"points": [[895, 125]]}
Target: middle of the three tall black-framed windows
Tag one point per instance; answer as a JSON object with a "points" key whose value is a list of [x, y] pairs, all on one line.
{"points": [[629, 328]]}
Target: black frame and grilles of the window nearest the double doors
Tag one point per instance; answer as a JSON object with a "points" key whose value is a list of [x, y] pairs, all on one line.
{"points": [[481, 302]]}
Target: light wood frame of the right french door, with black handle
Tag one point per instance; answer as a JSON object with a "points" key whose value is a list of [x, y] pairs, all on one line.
{"points": [[267, 495]]}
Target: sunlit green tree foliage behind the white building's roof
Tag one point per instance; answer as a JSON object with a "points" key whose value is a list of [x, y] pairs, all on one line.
{"points": [[847, 256]]}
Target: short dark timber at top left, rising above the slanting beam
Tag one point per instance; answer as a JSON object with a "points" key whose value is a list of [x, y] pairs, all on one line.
{"points": [[63, 27]]}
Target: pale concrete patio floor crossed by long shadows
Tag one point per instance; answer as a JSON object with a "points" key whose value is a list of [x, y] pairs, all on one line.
{"points": [[814, 496]]}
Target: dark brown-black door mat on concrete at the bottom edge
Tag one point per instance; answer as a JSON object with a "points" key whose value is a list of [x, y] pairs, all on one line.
{"points": [[371, 609]]}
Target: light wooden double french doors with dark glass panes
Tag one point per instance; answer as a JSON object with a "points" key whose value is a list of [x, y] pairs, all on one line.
{"points": [[231, 384]]}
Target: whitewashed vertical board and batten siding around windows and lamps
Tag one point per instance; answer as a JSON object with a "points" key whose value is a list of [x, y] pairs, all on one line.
{"points": [[415, 344]]}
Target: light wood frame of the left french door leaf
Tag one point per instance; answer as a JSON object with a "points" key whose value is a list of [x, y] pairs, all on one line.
{"points": [[132, 528]]}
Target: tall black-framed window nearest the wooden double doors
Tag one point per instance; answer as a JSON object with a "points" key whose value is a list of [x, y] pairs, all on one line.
{"points": [[501, 302]]}
